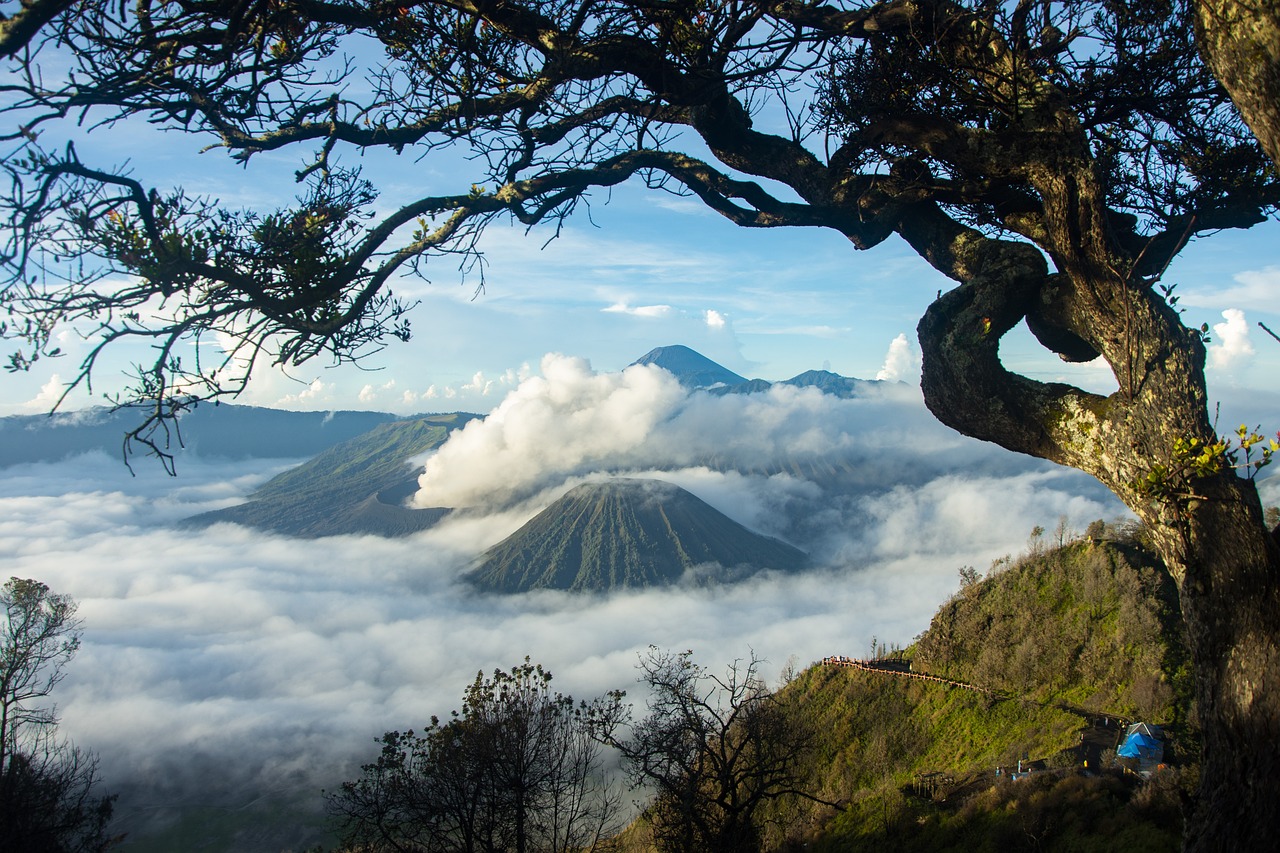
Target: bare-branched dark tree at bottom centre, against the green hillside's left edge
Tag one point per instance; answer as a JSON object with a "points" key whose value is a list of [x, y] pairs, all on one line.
{"points": [[714, 750]]}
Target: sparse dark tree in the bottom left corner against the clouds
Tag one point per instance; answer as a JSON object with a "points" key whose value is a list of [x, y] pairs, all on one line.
{"points": [[47, 786]]}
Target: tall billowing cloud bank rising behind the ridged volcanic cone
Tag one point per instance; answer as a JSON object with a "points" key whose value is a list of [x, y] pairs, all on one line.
{"points": [[793, 463]]}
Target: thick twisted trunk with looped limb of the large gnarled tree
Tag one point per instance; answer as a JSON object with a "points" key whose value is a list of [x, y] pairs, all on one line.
{"points": [[1208, 530]]}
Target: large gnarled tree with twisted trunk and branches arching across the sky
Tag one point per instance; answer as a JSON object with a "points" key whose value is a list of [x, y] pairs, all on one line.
{"points": [[1050, 158]]}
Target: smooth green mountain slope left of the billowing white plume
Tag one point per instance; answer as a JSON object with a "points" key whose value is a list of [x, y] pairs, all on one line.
{"points": [[354, 487]]}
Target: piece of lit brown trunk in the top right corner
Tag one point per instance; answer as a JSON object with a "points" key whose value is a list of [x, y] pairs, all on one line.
{"points": [[1241, 40]]}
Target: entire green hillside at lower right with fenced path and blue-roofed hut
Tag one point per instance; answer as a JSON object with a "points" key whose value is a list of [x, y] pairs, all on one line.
{"points": [[1071, 644]]}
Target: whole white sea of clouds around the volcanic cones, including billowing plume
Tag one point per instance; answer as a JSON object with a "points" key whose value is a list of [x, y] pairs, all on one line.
{"points": [[225, 665]]}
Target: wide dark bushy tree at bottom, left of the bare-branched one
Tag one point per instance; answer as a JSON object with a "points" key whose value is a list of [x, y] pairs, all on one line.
{"points": [[516, 770]]}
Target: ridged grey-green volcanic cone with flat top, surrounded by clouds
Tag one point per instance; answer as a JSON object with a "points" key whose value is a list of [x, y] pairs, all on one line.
{"points": [[627, 533]]}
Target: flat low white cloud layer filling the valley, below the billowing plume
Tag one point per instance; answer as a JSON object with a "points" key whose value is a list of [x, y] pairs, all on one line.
{"points": [[234, 663]]}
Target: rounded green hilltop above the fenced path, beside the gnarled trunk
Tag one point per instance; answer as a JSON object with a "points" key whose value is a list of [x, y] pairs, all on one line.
{"points": [[1091, 624]]}
